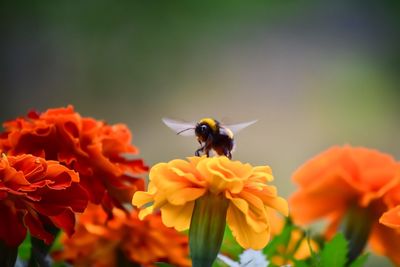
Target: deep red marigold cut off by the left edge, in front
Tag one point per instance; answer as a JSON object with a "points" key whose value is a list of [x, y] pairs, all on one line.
{"points": [[35, 193]]}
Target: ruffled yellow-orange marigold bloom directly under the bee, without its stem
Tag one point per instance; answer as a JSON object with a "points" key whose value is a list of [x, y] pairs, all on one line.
{"points": [[175, 186]]}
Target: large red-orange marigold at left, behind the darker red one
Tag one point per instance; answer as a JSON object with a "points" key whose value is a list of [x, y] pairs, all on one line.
{"points": [[96, 150]]}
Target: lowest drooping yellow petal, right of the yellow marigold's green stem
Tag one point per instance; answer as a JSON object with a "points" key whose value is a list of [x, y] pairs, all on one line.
{"points": [[244, 234]]}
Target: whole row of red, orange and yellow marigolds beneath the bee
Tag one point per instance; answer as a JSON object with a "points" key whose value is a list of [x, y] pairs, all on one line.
{"points": [[56, 164]]}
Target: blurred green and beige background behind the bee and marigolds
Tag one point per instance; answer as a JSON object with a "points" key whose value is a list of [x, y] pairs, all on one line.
{"points": [[314, 73]]}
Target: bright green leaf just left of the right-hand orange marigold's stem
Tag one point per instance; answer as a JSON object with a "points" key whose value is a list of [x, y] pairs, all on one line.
{"points": [[334, 252]]}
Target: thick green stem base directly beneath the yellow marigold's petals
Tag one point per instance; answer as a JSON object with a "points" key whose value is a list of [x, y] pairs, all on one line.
{"points": [[207, 229]]}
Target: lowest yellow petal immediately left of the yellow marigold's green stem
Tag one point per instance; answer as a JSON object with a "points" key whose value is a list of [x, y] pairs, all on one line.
{"points": [[177, 216]]}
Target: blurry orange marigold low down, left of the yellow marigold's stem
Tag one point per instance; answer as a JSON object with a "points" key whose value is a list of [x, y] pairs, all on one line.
{"points": [[101, 243]]}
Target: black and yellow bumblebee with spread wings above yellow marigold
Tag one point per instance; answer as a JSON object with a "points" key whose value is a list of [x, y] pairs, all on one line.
{"points": [[210, 133]]}
